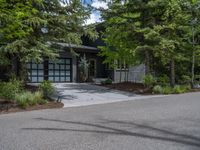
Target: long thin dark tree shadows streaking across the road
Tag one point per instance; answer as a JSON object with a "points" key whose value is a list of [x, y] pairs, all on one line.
{"points": [[150, 131]]}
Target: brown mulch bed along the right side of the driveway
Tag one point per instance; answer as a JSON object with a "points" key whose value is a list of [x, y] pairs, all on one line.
{"points": [[137, 88]]}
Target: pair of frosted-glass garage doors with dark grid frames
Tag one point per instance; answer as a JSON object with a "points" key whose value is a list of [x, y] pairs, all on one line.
{"points": [[61, 71]]}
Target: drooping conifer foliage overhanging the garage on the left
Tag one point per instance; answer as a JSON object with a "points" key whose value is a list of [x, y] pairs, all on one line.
{"points": [[29, 28]]}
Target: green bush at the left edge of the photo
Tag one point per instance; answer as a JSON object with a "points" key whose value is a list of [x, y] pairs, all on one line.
{"points": [[8, 90]]}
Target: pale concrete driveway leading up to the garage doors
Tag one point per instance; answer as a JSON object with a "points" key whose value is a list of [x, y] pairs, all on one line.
{"points": [[82, 94]]}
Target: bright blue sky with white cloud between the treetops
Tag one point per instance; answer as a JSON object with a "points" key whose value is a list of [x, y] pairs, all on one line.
{"points": [[95, 15]]}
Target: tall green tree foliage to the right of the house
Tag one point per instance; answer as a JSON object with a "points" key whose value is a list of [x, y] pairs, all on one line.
{"points": [[162, 34]]}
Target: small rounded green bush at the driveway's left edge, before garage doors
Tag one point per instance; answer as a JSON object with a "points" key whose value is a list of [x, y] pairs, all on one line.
{"points": [[46, 88]]}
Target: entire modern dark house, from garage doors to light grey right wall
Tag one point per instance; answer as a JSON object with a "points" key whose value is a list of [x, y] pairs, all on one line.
{"points": [[66, 68]]}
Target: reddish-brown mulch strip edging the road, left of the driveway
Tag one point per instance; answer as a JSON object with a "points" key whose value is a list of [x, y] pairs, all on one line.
{"points": [[13, 108]]}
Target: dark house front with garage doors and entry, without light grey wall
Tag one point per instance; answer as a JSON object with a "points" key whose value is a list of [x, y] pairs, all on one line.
{"points": [[66, 67]]}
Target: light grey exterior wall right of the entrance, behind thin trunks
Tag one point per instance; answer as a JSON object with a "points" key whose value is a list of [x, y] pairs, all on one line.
{"points": [[135, 74]]}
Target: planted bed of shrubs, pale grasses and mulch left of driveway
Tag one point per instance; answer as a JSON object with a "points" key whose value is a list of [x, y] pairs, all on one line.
{"points": [[16, 97]]}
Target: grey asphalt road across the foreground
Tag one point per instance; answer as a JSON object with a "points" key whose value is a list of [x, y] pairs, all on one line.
{"points": [[167, 123]]}
